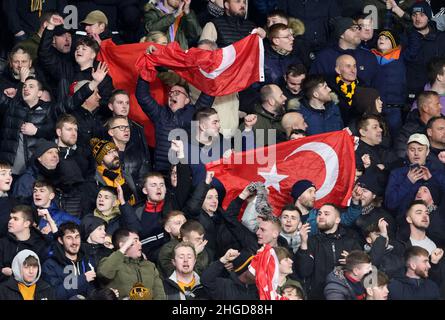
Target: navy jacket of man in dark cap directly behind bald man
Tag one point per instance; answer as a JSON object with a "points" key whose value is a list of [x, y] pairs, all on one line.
{"points": [[366, 63]]}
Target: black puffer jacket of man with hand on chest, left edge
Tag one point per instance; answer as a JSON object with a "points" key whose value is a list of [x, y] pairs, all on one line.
{"points": [[18, 112]]}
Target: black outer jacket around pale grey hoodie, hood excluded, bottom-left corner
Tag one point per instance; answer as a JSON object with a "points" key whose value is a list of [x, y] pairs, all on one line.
{"points": [[9, 291]]}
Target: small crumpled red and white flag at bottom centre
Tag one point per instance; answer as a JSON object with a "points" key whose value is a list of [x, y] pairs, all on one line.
{"points": [[265, 268]]}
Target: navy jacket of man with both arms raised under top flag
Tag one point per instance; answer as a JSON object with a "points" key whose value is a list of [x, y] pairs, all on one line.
{"points": [[165, 120]]}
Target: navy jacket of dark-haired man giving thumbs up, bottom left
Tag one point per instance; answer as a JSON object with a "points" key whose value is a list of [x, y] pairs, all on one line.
{"points": [[59, 271]]}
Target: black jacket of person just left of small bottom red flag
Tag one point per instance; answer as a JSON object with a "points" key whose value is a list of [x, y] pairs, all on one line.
{"points": [[220, 287]]}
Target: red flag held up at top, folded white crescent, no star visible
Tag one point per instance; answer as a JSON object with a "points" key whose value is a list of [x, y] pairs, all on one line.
{"points": [[218, 72]]}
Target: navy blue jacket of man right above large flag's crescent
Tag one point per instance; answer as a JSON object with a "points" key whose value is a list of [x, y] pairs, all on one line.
{"points": [[321, 121]]}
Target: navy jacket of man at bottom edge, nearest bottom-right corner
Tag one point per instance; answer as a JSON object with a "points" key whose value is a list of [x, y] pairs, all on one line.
{"points": [[413, 289]]}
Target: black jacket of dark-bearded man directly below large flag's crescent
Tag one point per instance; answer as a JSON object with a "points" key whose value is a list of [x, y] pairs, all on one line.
{"points": [[322, 255]]}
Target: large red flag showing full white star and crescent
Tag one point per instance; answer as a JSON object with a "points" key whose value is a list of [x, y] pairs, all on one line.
{"points": [[326, 159]]}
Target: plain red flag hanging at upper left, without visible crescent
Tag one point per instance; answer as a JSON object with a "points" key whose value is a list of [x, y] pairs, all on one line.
{"points": [[121, 62]]}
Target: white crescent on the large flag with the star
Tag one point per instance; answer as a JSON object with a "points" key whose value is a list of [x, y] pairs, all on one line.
{"points": [[330, 160]]}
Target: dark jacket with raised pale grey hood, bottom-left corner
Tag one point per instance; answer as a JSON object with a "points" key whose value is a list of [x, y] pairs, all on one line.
{"points": [[10, 291]]}
